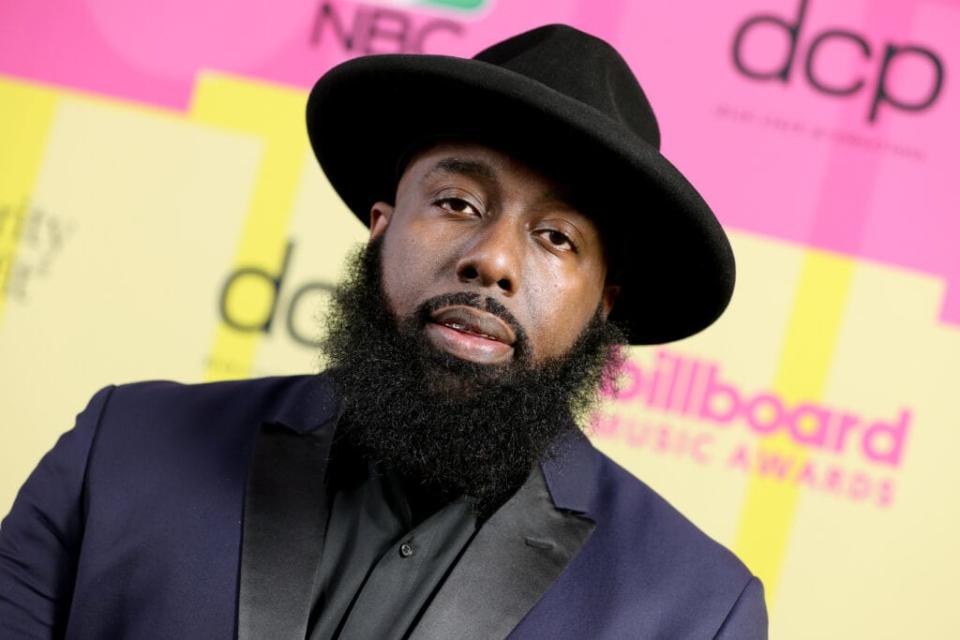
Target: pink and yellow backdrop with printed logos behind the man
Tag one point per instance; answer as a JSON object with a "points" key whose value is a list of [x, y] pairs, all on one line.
{"points": [[161, 216]]}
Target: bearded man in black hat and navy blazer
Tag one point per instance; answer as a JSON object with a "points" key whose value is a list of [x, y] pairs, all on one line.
{"points": [[433, 483]]}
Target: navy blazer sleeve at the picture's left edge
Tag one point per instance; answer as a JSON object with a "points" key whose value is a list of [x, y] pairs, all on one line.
{"points": [[40, 538]]}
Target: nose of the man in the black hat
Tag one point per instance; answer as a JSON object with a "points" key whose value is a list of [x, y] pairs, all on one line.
{"points": [[493, 257]]}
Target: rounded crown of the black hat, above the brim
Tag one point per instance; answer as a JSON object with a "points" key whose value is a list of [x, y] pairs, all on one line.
{"points": [[582, 67]]}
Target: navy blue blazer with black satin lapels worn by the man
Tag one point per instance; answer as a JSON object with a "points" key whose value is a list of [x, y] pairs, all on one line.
{"points": [[196, 511]]}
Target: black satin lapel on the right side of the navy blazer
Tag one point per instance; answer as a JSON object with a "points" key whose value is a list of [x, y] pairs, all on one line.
{"points": [[514, 558]]}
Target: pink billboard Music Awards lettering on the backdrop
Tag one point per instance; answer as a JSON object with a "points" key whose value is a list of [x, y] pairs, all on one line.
{"points": [[692, 411]]}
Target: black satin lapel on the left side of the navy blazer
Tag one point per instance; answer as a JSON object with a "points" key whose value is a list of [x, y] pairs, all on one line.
{"points": [[284, 521]]}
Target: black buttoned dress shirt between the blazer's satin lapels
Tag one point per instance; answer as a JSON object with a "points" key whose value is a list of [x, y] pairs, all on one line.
{"points": [[388, 547]]}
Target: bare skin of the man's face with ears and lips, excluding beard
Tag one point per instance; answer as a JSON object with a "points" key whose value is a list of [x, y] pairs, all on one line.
{"points": [[469, 218]]}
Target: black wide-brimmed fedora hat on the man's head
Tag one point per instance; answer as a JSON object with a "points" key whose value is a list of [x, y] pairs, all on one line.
{"points": [[567, 102]]}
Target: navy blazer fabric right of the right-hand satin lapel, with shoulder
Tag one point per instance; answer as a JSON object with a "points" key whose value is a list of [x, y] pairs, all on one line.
{"points": [[647, 571]]}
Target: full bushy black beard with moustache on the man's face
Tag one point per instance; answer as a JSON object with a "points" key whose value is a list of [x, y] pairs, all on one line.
{"points": [[454, 427]]}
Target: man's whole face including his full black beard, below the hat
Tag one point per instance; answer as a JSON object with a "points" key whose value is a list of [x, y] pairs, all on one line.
{"points": [[469, 334]]}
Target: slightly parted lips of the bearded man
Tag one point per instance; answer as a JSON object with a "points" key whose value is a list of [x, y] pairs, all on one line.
{"points": [[471, 334]]}
